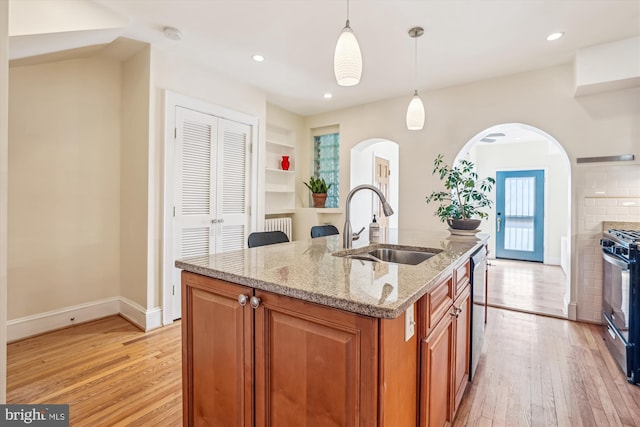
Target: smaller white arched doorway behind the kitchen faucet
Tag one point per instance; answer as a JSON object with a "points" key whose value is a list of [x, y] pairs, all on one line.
{"points": [[366, 157]]}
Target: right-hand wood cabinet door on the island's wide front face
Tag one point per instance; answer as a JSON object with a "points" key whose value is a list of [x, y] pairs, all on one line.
{"points": [[315, 366]]}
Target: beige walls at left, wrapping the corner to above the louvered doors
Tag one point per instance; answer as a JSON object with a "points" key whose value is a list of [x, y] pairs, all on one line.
{"points": [[86, 215]]}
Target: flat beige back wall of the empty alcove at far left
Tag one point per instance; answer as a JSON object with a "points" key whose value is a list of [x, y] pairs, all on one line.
{"points": [[64, 185]]}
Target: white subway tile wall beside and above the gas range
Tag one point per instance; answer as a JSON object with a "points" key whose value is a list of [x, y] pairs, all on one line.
{"points": [[604, 194]]}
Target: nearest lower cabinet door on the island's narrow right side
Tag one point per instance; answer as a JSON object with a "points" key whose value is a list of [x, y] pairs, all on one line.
{"points": [[435, 376]]}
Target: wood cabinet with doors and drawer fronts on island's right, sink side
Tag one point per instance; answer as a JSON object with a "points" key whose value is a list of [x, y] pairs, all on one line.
{"points": [[445, 331]]}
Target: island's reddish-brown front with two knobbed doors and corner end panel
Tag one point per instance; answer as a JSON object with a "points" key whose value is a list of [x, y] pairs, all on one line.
{"points": [[277, 361]]}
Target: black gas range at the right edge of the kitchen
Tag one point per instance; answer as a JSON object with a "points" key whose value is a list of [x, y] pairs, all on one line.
{"points": [[621, 299]]}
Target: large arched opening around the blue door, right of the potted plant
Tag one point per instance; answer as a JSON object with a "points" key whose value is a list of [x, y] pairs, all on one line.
{"points": [[515, 147]]}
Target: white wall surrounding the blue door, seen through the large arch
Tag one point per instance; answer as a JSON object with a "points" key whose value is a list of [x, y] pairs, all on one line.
{"points": [[527, 155]]}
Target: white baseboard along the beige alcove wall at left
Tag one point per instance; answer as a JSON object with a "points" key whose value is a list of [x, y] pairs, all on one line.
{"points": [[28, 326]]}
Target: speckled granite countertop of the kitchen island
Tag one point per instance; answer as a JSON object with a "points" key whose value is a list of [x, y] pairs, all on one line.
{"points": [[308, 271]]}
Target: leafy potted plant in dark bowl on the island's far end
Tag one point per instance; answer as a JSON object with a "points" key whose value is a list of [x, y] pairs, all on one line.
{"points": [[466, 195]]}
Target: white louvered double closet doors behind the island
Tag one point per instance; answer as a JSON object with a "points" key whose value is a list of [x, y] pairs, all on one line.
{"points": [[211, 188]]}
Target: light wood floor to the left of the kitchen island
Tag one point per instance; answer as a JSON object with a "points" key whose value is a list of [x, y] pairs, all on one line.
{"points": [[108, 371]]}
